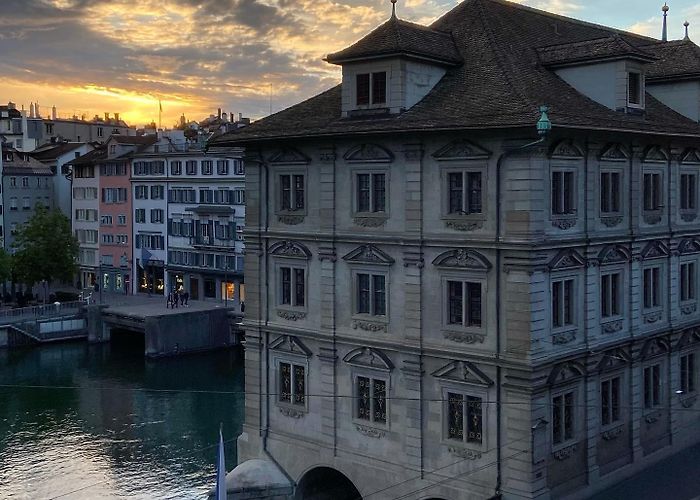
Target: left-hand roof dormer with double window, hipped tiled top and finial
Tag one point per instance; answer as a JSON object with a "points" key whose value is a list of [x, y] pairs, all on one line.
{"points": [[393, 67]]}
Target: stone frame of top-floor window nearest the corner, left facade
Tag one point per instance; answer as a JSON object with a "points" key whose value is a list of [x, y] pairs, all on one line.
{"points": [[465, 168]]}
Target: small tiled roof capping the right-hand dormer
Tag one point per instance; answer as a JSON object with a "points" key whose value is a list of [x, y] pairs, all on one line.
{"points": [[612, 47]]}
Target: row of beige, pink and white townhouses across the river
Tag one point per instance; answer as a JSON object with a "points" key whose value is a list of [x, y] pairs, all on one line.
{"points": [[152, 215]]}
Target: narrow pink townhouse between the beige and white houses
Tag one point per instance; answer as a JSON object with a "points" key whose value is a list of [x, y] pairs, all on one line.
{"points": [[116, 256]]}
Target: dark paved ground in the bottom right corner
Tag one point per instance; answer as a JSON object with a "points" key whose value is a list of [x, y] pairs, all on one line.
{"points": [[676, 478]]}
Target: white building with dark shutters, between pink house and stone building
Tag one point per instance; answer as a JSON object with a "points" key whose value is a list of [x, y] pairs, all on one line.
{"points": [[188, 208]]}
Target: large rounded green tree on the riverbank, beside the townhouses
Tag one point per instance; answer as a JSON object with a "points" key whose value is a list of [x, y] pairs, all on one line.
{"points": [[45, 248]]}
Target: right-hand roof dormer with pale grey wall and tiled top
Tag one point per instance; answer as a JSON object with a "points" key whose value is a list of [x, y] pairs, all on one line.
{"points": [[609, 70]]}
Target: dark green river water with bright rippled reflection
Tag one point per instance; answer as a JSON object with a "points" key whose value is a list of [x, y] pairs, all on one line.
{"points": [[81, 421]]}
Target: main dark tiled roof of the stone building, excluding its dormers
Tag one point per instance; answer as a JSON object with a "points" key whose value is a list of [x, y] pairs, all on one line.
{"points": [[501, 84]]}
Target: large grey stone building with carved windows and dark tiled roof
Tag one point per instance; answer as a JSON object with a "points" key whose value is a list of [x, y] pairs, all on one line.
{"points": [[443, 304]]}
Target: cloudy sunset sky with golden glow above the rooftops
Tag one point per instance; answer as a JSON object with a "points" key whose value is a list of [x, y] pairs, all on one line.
{"points": [[89, 57]]}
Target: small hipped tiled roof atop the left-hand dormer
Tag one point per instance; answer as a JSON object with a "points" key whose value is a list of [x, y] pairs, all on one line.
{"points": [[396, 37]]}
